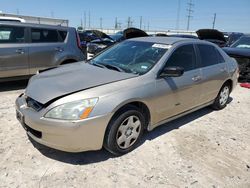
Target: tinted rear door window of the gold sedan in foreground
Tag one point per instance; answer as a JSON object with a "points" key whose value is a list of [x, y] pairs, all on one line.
{"points": [[209, 55]]}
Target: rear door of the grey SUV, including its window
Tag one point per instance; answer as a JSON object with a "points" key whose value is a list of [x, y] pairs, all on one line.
{"points": [[45, 48]]}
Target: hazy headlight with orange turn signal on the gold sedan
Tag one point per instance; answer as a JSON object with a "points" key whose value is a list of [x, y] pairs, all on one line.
{"points": [[76, 110]]}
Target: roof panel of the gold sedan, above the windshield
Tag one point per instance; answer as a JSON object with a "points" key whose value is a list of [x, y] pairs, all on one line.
{"points": [[167, 40]]}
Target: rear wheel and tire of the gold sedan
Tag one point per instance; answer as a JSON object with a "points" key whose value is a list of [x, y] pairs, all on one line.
{"points": [[222, 98]]}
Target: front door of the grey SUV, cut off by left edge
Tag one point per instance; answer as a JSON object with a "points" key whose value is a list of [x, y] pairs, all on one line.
{"points": [[13, 51]]}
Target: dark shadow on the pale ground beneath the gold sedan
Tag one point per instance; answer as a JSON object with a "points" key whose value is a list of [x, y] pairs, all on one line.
{"points": [[89, 157]]}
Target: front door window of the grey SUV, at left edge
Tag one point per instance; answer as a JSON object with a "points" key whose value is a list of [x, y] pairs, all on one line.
{"points": [[11, 34]]}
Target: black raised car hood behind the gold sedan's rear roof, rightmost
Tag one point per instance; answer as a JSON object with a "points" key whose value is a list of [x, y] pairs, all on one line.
{"points": [[213, 34]]}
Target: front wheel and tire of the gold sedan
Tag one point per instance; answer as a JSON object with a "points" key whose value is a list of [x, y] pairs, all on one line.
{"points": [[124, 131]]}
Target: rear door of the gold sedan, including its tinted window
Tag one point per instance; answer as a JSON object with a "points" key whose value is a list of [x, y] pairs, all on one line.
{"points": [[214, 71]]}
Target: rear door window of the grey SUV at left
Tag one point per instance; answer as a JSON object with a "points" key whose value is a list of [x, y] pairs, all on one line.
{"points": [[44, 35]]}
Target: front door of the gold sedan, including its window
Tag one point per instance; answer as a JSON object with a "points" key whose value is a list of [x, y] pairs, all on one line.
{"points": [[179, 94]]}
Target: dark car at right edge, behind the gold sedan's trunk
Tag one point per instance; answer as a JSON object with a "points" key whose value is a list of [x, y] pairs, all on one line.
{"points": [[240, 50]]}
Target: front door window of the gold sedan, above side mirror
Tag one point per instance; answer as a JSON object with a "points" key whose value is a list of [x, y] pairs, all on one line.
{"points": [[183, 57]]}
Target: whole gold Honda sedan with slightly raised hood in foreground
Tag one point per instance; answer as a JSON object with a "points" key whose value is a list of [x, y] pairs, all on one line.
{"points": [[135, 85]]}
